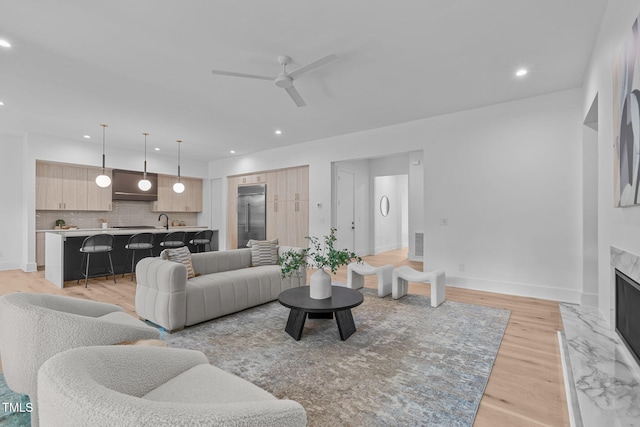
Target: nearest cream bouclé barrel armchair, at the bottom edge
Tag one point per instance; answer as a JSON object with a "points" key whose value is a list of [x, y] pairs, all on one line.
{"points": [[137, 386]]}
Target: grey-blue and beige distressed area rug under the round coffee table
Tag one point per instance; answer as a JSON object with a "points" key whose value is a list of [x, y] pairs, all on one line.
{"points": [[407, 364]]}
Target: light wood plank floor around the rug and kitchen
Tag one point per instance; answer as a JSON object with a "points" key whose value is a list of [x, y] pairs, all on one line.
{"points": [[526, 384]]}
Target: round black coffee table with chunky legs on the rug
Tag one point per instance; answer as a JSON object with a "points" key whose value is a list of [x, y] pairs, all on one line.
{"points": [[341, 302]]}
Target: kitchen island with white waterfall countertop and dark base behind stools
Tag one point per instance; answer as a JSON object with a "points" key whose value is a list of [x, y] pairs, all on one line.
{"points": [[63, 256]]}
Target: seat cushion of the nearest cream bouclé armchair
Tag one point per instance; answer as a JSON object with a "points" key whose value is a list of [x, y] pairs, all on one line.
{"points": [[204, 384]]}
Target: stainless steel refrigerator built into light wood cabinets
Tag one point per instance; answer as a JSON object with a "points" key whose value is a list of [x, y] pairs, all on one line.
{"points": [[252, 213]]}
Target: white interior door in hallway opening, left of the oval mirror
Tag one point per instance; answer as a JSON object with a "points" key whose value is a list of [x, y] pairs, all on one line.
{"points": [[345, 215]]}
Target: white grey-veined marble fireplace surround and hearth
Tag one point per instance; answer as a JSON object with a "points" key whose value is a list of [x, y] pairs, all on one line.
{"points": [[601, 375]]}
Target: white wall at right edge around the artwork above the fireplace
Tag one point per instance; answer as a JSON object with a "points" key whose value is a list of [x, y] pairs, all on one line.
{"points": [[619, 227]]}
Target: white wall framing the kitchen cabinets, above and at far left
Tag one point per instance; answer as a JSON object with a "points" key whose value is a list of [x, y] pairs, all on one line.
{"points": [[20, 164]]}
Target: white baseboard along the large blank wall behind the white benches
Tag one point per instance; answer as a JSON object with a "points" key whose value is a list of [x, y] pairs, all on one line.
{"points": [[519, 289]]}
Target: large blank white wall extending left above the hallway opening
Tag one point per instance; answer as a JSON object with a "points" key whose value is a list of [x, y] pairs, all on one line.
{"points": [[508, 178]]}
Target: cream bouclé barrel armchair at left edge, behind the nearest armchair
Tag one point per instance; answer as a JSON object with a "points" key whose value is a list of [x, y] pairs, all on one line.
{"points": [[34, 327]]}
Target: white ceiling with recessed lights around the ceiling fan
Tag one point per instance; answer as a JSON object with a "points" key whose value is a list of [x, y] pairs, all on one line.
{"points": [[145, 65]]}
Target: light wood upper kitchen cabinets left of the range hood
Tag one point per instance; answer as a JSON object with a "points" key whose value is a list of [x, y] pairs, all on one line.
{"points": [[72, 188]]}
